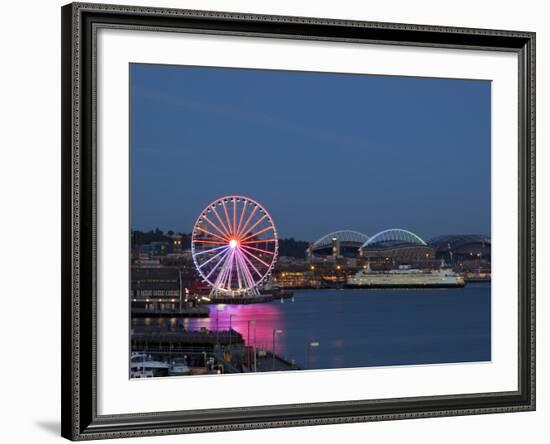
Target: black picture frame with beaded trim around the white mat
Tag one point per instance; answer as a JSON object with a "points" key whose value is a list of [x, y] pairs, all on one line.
{"points": [[79, 170]]}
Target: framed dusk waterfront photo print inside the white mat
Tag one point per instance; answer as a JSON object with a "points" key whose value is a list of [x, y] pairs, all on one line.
{"points": [[306, 221]]}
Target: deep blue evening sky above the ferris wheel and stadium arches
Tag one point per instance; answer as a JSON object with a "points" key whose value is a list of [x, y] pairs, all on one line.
{"points": [[320, 152]]}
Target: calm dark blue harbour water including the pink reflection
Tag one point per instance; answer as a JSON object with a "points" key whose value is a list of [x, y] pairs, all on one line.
{"points": [[359, 328]]}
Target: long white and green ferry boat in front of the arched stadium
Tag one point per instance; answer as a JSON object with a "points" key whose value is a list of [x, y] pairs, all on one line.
{"points": [[405, 277]]}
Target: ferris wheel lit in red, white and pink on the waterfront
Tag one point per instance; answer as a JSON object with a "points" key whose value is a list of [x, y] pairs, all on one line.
{"points": [[234, 245]]}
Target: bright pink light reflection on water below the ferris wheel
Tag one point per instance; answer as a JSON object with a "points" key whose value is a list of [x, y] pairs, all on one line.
{"points": [[268, 318]]}
